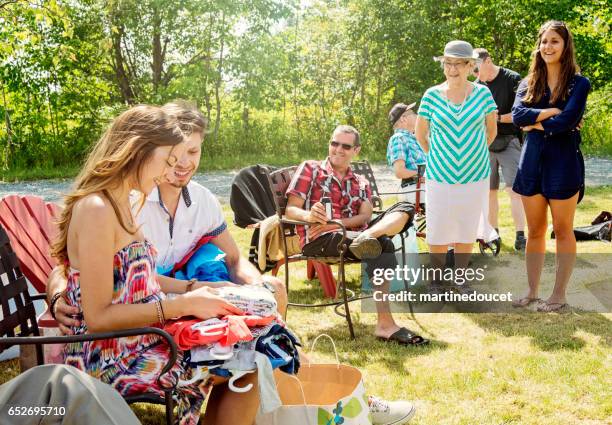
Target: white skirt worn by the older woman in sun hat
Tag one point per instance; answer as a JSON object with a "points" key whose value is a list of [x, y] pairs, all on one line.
{"points": [[458, 213]]}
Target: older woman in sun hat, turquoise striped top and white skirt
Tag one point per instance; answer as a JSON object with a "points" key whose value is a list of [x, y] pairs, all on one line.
{"points": [[456, 123]]}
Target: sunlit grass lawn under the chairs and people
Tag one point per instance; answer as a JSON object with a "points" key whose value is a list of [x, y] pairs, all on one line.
{"points": [[480, 368]]}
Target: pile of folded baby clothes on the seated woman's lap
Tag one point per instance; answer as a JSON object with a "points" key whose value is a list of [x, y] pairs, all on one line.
{"points": [[232, 345]]}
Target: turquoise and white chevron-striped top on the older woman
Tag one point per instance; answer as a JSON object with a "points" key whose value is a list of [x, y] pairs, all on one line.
{"points": [[458, 151]]}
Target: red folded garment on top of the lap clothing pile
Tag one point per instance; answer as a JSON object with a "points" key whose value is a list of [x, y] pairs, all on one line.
{"points": [[228, 330]]}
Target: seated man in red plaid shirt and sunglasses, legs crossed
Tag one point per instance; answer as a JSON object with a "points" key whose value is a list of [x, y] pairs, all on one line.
{"points": [[350, 196]]}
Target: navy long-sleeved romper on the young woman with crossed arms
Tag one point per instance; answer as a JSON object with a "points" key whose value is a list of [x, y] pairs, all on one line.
{"points": [[551, 163]]}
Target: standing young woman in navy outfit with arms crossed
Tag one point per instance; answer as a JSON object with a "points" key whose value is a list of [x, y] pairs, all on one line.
{"points": [[549, 106]]}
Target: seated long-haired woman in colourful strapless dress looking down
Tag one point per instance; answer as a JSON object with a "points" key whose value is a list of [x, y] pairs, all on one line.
{"points": [[111, 267]]}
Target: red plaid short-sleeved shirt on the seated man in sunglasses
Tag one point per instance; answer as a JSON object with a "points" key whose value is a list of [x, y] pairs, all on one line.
{"points": [[346, 195]]}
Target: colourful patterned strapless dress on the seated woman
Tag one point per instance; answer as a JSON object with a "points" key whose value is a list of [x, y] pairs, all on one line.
{"points": [[131, 365]]}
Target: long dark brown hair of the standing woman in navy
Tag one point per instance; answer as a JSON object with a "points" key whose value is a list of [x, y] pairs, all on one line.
{"points": [[537, 78]]}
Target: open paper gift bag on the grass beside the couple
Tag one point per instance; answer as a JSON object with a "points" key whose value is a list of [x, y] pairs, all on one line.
{"points": [[320, 394]]}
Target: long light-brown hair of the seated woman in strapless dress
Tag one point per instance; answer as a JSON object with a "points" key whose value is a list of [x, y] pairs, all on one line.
{"points": [[119, 155]]}
